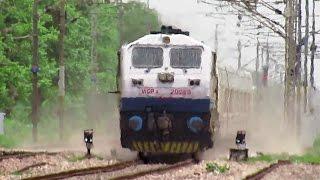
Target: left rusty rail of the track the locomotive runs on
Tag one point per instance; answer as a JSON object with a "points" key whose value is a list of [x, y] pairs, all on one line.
{"points": [[85, 171]]}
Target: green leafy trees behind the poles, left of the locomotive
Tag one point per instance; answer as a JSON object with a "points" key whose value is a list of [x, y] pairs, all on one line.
{"points": [[16, 59]]}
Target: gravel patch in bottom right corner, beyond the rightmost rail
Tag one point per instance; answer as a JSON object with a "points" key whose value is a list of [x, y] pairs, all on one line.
{"points": [[295, 171]]}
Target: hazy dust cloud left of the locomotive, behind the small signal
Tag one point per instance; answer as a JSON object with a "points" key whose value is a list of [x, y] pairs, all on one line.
{"points": [[100, 113]]}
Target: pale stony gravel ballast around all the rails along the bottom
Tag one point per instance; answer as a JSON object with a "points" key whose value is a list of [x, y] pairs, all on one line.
{"points": [[73, 160]]}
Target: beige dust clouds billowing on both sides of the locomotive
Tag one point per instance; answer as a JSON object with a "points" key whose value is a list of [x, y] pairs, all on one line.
{"points": [[266, 130]]}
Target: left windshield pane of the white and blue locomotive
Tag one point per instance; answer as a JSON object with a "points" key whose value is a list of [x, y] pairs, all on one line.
{"points": [[147, 57]]}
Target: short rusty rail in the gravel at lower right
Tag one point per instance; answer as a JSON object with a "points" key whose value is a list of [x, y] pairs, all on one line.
{"points": [[260, 174]]}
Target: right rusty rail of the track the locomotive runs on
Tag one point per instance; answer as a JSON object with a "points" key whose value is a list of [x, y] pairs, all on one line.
{"points": [[161, 169]]}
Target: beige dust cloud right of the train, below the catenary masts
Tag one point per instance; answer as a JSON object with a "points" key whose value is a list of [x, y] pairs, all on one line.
{"points": [[266, 129]]}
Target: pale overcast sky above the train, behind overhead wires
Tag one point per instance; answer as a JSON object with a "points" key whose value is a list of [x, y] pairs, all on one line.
{"points": [[191, 16]]}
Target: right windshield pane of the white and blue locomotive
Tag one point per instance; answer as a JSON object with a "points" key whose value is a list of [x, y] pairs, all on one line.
{"points": [[185, 57]]}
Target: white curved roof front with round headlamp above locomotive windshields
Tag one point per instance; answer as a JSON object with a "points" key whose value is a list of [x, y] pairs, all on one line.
{"points": [[175, 39]]}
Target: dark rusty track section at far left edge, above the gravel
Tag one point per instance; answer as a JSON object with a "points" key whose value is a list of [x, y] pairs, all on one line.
{"points": [[22, 154]]}
